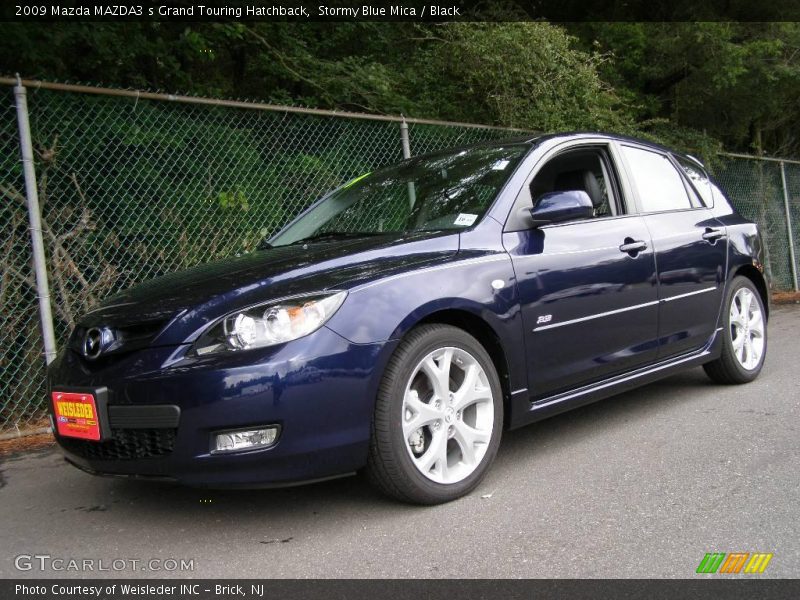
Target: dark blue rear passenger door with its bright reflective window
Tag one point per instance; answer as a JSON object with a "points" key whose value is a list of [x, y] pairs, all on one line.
{"points": [[690, 244]]}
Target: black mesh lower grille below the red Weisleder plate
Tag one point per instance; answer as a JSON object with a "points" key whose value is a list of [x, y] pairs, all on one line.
{"points": [[126, 444]]}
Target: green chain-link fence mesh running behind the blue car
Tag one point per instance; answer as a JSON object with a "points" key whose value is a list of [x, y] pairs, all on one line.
{"points": [[132, 187]]}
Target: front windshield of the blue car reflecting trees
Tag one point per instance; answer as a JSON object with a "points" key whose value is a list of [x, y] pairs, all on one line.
{"points": [[437, 192]]}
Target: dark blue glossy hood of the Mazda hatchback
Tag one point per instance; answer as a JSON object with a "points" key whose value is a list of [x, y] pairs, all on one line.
{"points": [[189, 299]]}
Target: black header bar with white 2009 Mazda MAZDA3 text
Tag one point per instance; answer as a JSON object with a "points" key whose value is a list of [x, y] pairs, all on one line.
{"points": [[65, 11]]}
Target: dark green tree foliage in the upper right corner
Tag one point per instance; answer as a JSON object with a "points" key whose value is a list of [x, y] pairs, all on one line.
{"points": [[737, 83]]}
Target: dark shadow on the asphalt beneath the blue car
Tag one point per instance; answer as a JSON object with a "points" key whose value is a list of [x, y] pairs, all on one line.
{"points": [[555, 434]]}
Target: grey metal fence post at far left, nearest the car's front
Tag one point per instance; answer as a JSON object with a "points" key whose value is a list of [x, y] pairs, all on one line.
{"points": [[35, 222]]}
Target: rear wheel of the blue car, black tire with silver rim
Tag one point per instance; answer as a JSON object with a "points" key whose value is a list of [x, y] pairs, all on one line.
{"points": [[740, 361]]}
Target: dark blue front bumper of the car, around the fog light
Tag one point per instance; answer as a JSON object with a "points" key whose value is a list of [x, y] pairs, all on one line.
{"points": [[319, 390]]}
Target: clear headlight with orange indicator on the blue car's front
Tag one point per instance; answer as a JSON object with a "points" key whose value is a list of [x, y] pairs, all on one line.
{"points": [[271, 323]]}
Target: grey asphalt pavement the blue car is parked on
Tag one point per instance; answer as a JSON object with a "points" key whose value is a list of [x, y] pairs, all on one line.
{"points": [[639, 485]]}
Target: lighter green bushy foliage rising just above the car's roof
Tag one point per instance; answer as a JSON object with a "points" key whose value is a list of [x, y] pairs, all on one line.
{"points": [[546, 86]]}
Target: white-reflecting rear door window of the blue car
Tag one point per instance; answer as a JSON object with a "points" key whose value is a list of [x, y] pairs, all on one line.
{"points": [[660, 186]]}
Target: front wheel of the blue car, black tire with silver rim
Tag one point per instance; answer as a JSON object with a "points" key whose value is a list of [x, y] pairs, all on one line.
{"points": [[423, 449]]}
